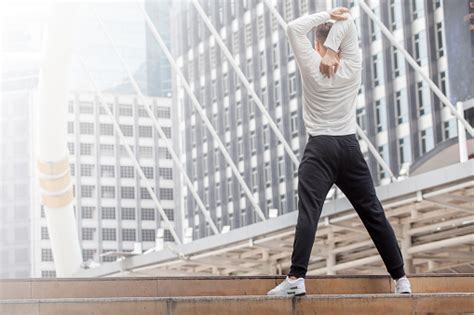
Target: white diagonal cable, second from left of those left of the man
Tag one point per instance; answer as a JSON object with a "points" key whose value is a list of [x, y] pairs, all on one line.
{"points": [[161, 133]]}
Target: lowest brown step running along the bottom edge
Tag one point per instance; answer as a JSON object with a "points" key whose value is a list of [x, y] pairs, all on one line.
{"points": [[386, 304]]}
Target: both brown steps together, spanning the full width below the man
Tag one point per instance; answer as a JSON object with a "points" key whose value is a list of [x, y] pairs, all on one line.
{"points": [[433, 293]]}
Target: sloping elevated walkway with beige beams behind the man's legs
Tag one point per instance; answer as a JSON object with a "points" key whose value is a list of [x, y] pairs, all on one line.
{"points": [[432, 215]]}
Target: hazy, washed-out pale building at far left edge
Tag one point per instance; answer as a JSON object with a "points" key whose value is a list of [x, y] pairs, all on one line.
{"points": [[20, 50]]}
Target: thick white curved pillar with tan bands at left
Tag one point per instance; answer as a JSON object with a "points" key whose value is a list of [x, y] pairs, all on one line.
{"points": [[53, 156]]}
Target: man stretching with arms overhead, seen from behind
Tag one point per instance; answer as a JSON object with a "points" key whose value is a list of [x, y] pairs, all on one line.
{"points": [[331, 79]]}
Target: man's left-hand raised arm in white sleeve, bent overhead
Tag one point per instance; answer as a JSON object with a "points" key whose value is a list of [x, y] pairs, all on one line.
{"points": [[297, 31]]}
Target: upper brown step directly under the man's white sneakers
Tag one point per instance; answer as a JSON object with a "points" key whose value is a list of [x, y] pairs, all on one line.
{"points": [[221, 286]]}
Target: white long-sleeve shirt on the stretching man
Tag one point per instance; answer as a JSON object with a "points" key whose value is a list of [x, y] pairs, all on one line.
{"points": [[329, 104]]}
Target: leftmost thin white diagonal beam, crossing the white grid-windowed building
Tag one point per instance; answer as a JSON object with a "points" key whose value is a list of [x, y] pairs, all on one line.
{"points": [[136, 164]]}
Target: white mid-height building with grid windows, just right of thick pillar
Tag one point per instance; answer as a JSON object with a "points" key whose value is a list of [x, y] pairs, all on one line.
{"points": [[113, 208]]}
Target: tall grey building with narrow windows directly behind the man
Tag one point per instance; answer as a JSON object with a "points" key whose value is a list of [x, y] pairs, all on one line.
{"points": [[395, 106]]}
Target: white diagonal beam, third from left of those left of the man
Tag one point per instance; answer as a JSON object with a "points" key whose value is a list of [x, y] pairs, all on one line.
{"points": [[202, 114]]}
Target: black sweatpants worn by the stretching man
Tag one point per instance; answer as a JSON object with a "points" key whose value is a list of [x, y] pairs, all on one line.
{"points": [[329, 160]]}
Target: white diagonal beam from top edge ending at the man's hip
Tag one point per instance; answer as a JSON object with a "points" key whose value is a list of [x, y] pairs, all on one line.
{"points": [[246, 83]]}
